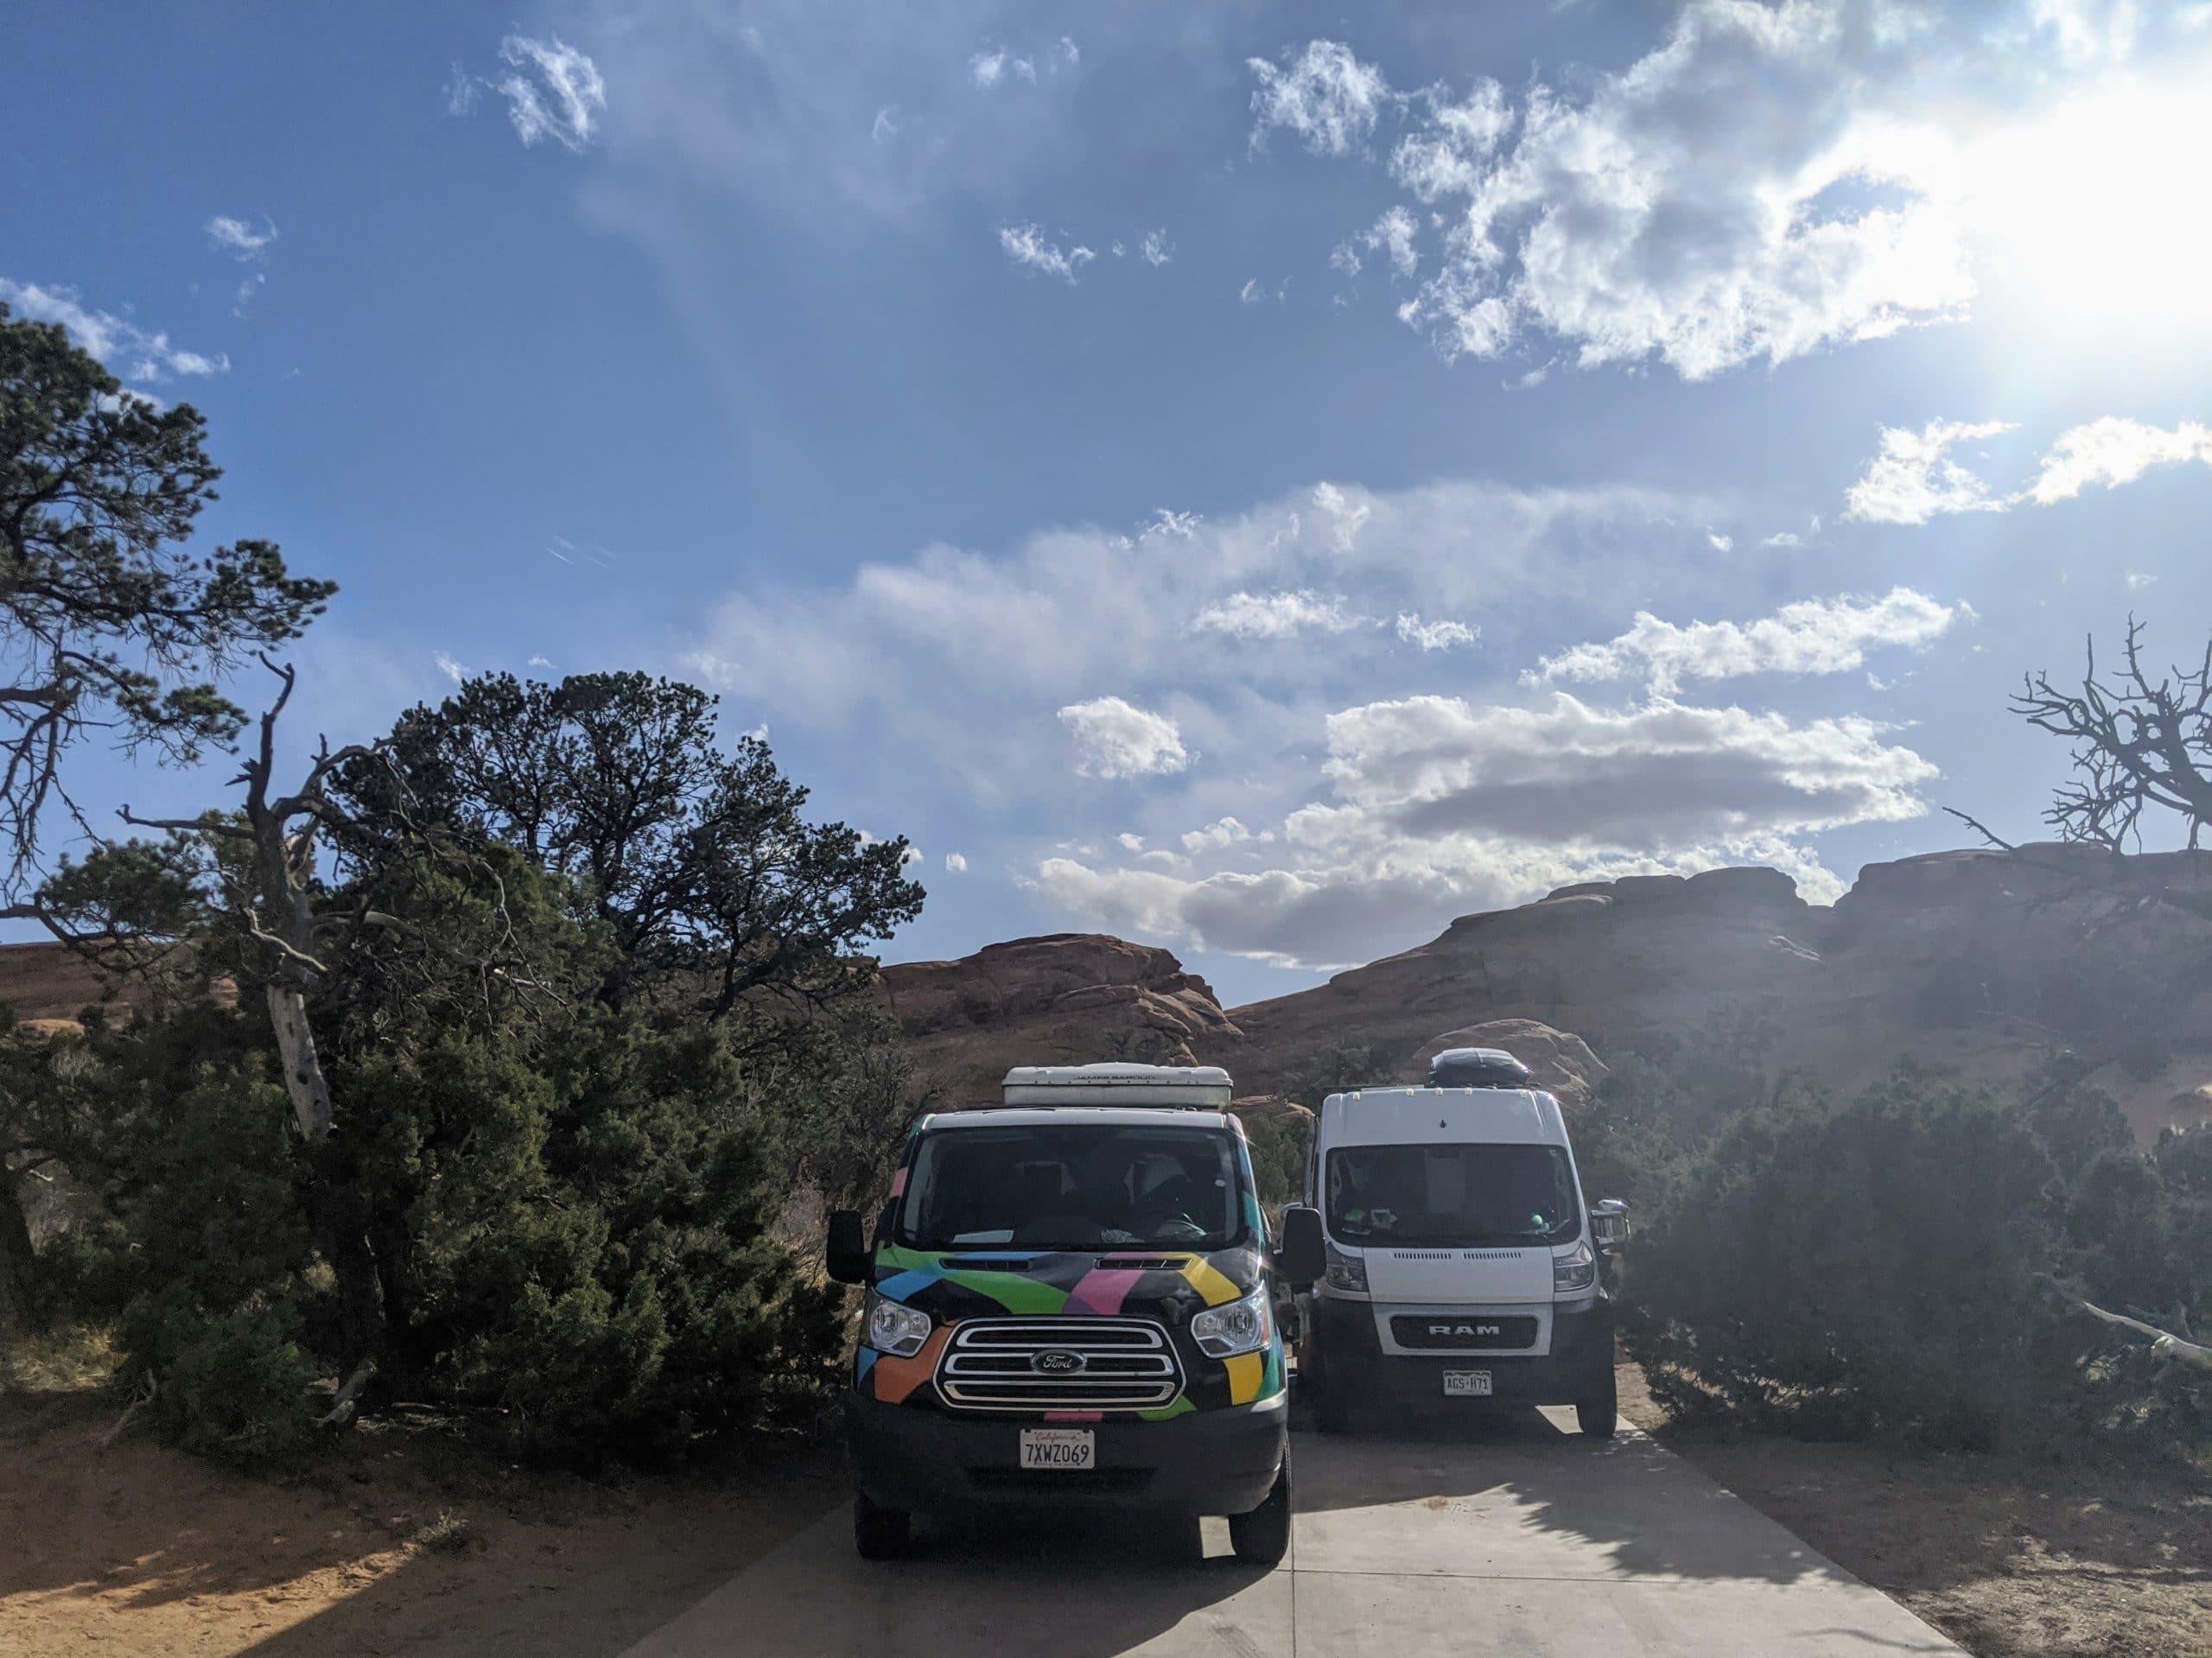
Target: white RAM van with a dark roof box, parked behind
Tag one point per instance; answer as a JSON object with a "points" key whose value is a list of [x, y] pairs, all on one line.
{"points": [[1461, 1263]]}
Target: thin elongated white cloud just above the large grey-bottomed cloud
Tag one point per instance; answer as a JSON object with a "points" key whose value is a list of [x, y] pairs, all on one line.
{"points": [[1811, 638]]}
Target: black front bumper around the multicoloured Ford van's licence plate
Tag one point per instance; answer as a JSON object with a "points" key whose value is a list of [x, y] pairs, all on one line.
{"points": [[928, 1460]]}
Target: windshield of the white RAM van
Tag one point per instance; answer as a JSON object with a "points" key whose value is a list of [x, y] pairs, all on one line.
{"points": [[1452, 1195]]}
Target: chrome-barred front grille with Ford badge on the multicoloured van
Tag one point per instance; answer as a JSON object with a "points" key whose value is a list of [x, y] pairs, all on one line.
{"points": [[1058, 1365]]}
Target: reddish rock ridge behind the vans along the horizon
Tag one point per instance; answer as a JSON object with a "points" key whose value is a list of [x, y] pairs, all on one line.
{"points": [[1970, 961]]}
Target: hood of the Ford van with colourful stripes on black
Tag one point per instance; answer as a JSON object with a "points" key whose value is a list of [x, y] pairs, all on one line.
{"points": [[994, 1283]]}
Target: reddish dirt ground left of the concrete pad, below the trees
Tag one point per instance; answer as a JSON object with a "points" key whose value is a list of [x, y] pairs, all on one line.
{"points": [[399, 1546]]}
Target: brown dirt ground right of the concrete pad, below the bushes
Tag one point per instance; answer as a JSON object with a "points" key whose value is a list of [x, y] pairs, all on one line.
{"points": [[2010, 1560]]}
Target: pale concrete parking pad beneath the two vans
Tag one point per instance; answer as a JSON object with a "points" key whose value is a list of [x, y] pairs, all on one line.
{"points": [[1505, 1535]]}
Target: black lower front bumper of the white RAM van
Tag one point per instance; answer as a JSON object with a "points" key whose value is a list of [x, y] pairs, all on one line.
{"points": [[1357, 1367]]}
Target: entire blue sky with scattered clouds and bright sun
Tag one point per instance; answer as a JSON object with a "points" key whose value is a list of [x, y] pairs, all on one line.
{"points": [[1255, 479]]}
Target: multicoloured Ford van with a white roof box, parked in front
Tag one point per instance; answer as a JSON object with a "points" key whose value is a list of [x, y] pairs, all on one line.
{"points": [[1072, 1303]]}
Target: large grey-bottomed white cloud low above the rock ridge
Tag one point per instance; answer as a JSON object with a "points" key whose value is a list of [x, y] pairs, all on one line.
{"points": [[1443, 808]]}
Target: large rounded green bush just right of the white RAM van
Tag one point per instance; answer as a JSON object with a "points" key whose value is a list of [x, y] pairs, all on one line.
{"points": [[1884, 1266]]}
